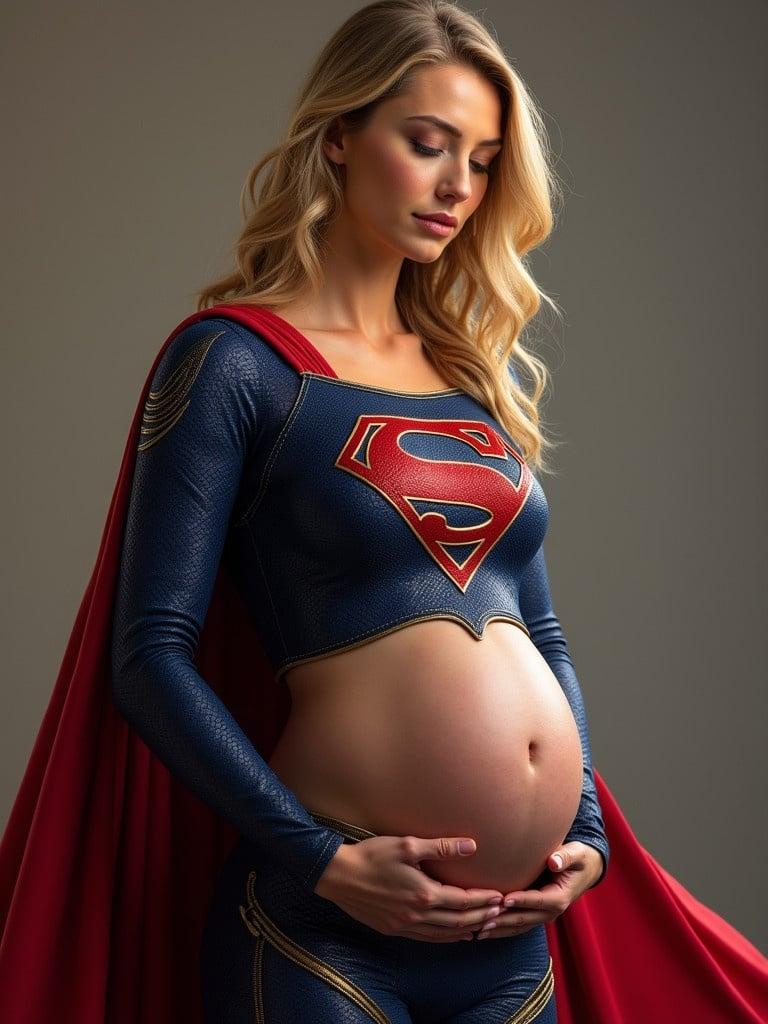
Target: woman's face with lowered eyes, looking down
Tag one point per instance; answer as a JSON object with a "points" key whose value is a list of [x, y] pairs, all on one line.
{"points": [[404, 164]]}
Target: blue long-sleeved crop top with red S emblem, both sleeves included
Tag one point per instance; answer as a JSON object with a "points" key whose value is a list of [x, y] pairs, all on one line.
{"points": [[344, 511]]}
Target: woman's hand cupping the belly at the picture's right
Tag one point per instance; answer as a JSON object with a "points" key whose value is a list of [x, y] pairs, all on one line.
{"points": [[575, 867]]}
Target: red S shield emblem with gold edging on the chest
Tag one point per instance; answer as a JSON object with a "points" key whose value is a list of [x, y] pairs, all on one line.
{"points": [[373, 453]]}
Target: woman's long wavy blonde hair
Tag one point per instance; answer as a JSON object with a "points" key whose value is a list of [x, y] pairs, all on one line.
{"points": [[472, 305]]}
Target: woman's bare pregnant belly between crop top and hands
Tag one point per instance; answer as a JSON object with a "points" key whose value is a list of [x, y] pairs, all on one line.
{"points": [[430, 733]]}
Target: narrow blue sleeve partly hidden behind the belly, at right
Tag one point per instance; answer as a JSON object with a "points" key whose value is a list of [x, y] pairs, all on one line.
{"points": [[547, 634]]}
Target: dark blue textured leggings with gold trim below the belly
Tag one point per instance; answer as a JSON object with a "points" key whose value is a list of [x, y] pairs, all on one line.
{"points": [[274, 953]]}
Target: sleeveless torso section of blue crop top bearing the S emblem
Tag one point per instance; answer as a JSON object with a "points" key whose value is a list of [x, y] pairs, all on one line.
{"points": [[378, 509]]}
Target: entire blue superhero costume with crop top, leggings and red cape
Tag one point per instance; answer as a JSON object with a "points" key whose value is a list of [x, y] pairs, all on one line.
{"points": [[111, 865]]}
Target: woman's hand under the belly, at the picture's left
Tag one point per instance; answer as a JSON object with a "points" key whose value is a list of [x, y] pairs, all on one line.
{"points": [[378, 881]]}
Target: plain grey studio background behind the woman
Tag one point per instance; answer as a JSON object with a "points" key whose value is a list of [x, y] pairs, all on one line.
{"points": [[131, 133]]}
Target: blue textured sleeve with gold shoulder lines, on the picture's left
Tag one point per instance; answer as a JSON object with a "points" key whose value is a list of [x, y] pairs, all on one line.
{"points": [[201, 418]]}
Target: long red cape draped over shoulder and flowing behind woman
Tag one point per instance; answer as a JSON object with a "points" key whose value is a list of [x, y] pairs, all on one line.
{"points": [[108, 864]]}
